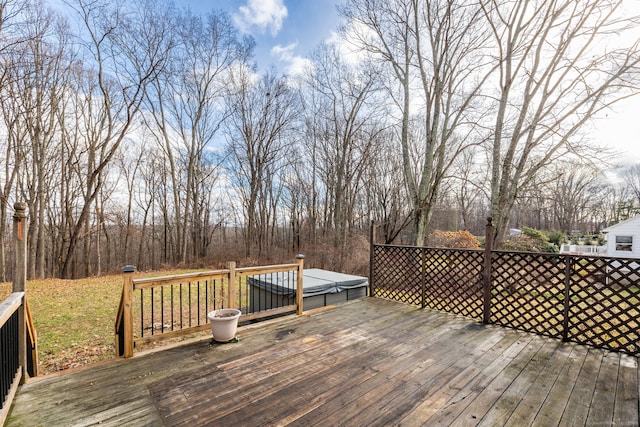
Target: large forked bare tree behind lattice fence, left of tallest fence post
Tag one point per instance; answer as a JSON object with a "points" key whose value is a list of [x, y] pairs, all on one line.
{"points": [[433, 49]]}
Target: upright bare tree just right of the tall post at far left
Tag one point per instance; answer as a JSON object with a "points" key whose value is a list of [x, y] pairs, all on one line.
{"points": [[40, 93]]}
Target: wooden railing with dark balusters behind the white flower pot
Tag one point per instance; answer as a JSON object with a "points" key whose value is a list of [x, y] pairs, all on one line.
{"points": [[158, 308]]}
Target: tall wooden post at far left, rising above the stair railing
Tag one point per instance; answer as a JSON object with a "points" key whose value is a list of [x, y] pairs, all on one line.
{"points": [[20, 280]]}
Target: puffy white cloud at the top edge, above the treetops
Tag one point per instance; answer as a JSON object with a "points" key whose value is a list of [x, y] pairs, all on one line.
{"points": [[266, 15]]}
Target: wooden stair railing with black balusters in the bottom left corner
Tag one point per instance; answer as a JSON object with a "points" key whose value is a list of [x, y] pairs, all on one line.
{"points": [[18, 348]]}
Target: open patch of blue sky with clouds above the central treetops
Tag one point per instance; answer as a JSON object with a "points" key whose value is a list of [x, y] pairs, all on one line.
{"points": [[285, 31]]}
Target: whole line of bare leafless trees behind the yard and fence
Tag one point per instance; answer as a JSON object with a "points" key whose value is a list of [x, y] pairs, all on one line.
{"points": [[140, 133]]}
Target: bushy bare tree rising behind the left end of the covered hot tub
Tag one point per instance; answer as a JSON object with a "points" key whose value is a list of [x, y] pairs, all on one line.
{"points": [[259, 130]]}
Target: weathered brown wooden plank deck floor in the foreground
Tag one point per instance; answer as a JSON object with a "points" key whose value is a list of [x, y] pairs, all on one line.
{"points": [[367, 362]]}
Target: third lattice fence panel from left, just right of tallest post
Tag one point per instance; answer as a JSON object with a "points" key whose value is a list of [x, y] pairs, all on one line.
{"points": [[528, 292]]}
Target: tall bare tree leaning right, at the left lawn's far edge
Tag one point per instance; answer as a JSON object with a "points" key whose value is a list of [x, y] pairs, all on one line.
{"points": [[126, 47]]}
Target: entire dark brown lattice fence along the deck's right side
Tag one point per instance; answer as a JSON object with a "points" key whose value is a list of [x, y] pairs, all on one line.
{"points": [[592, 300]]}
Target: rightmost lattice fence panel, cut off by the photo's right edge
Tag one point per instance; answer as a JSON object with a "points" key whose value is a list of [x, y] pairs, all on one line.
{"points": [[605, 303]]}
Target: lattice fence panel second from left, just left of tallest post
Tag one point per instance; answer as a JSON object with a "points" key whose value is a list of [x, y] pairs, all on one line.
{"points": [[454, 281]]}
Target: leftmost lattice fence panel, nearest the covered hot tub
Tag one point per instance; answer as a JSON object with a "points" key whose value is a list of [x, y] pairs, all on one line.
{"points": [[396, 273]]}
